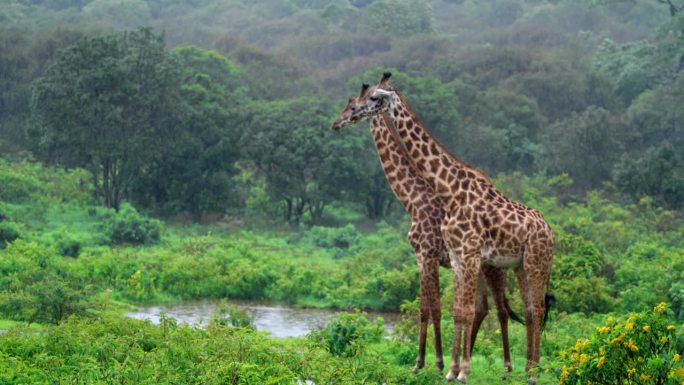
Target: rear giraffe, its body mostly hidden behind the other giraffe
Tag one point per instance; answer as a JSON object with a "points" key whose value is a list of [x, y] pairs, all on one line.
{"points": [[427, 213]]}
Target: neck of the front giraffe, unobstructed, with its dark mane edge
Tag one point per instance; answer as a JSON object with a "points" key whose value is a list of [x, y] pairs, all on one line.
{"points": [[440, 169]]}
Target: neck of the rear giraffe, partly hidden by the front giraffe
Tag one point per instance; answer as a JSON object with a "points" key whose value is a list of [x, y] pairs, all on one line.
{"points": [[403, 178]]}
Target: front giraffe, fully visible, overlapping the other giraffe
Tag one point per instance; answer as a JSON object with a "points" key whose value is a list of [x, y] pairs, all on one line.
{"points": [[482, 228]]}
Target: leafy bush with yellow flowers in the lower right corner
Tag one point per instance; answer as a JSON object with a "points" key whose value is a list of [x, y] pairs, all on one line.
{"points": [[644, 349]]}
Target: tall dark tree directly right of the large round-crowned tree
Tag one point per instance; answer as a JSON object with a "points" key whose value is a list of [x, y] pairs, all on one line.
{"points": [[195, 173]]}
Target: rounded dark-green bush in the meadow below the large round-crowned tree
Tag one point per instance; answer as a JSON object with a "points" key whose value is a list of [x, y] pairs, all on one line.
{"points": [[130, 227]]}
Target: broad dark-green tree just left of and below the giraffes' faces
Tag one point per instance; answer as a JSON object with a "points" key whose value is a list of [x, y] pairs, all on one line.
{"points": [[305, 165]]}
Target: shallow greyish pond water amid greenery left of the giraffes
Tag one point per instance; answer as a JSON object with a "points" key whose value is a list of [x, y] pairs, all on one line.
{"points": [[281, 321]]}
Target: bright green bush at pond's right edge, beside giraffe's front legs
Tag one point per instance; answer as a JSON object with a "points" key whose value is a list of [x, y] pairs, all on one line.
{"points": [[348, 334]]}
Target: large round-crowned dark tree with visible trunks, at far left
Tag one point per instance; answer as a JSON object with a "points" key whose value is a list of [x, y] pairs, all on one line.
{"points": [[108, 104]]}
